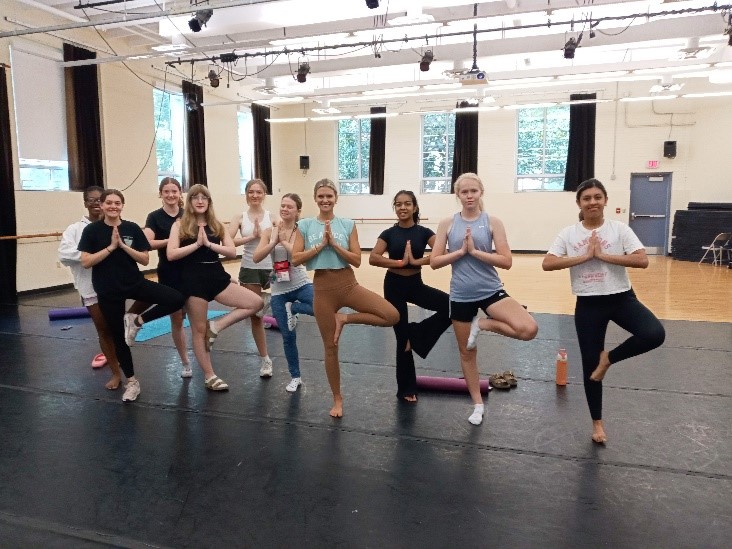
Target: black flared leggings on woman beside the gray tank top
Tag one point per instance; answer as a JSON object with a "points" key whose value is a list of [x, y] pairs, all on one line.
{"points": [[400, 290]]}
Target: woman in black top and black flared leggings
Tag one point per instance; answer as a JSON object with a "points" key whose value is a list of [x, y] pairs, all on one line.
{"points": [[406, 242]]}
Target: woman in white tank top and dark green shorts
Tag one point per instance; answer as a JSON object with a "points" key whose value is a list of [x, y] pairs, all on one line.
{"points": [[250, 225]]}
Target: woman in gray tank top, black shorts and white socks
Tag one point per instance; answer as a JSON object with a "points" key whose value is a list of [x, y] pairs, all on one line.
{"points": [[477, 246]]}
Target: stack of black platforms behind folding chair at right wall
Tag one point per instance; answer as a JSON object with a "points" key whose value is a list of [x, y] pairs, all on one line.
{"points": [[697, 226]]}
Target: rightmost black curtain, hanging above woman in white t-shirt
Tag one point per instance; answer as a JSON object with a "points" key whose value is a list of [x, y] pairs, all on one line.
{"points": [[581, 150]]}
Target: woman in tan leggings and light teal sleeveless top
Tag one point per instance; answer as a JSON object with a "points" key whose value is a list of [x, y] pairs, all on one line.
{"points": [[329, 246]]}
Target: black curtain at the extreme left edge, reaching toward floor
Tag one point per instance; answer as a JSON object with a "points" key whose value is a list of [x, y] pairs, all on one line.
{"points": [[8, 248]]}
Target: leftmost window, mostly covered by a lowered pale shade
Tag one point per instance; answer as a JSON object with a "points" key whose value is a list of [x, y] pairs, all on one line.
{"points": [[41, 125]]}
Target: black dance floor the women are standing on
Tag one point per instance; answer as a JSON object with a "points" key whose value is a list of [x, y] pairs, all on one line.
{"points": [[259, 467]]}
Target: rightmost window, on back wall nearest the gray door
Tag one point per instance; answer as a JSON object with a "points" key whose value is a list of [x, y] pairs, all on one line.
{"points": [[543, 138]]}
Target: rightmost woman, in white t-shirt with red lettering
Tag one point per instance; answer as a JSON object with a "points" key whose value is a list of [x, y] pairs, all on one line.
{"points": [[597, 251]]}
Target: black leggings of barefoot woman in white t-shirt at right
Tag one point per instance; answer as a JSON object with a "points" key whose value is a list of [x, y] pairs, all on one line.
{"points": [[592, 315]]}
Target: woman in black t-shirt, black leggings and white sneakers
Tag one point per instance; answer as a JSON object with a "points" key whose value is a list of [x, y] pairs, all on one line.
{"points": [[112, 248]]}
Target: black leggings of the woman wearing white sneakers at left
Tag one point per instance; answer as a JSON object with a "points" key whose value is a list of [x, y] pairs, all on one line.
{"points": [[168, 301]]}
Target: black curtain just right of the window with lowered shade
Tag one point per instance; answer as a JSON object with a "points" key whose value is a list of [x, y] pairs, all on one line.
{"points": [[83, 124]]}
